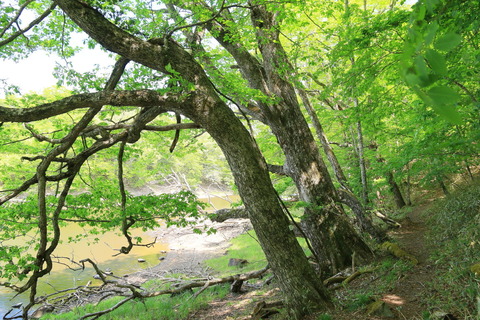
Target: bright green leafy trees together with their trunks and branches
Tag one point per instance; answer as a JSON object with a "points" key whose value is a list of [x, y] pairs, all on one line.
{"points": [[387, 91]]}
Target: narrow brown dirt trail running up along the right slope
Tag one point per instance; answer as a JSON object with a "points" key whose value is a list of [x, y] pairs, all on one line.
{"points": [[410, 293]]}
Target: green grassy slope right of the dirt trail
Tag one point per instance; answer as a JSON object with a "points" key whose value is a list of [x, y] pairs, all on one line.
{"points": [[455, 235]]}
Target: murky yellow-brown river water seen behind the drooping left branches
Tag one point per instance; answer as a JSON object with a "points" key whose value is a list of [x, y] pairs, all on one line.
{"points": [[101, 252]]}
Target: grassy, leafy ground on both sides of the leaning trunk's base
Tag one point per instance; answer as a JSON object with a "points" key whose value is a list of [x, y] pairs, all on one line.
{"points": [[442, 235]]}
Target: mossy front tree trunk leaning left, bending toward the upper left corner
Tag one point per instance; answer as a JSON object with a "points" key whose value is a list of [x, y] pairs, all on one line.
{"points": [[302, 289]]}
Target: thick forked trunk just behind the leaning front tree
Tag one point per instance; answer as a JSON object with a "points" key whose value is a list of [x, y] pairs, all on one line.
{"points": [[330, 232]]}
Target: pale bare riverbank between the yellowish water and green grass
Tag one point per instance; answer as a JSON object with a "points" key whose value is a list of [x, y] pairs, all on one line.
{"points": [[186, 253]]}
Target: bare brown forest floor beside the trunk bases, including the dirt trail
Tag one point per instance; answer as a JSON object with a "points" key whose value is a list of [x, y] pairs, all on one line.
{"points": [[405, 297]]}
